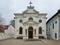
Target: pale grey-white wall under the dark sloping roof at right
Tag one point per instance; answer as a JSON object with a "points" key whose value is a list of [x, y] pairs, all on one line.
{"points": [[56, 28]]}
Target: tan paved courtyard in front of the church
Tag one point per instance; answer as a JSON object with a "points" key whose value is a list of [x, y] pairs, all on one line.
{"points": [[23, 42]]}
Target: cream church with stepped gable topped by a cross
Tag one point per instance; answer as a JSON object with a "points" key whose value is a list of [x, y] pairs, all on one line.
{"points": [[30, 24]]}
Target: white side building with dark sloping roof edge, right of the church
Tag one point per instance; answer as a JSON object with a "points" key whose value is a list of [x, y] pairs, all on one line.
{"points": [[53, 27]]}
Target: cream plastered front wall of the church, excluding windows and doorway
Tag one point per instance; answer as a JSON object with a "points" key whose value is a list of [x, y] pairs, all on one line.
{"points": [[25, 18]]}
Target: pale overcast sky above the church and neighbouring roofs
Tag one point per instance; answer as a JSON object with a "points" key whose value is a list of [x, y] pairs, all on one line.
{"points": [[9, 7]]}
